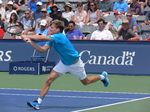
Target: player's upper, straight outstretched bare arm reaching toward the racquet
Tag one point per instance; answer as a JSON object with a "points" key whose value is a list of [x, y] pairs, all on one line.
{"points": [[37, 37]]}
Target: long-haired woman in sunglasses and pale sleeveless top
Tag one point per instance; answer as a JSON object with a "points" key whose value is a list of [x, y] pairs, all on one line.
{"points": [[93, 15]]}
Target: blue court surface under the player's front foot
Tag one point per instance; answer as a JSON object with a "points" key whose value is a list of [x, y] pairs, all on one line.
{"points": [[14, 100]]}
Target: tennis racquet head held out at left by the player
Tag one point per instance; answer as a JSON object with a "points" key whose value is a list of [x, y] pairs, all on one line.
{"points": [[14, 30]]}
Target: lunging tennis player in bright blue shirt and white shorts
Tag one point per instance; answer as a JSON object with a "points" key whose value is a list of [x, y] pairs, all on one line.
{"points": [[70, 60]]}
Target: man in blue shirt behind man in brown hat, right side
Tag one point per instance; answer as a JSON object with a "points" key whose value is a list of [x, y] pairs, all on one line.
{"points": [[132, 22]]}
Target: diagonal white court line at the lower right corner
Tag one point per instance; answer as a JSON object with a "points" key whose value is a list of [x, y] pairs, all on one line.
{"points": [[110, 104]]}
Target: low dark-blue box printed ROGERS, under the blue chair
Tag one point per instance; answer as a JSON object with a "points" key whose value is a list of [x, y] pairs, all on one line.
{"points": [[26, 67]]}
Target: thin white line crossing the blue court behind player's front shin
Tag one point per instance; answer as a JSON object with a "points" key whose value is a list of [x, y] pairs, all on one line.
{"points": [[65, 96]]}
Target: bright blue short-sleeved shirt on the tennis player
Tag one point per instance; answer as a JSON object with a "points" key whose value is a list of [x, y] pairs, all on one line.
{"points": [[64, 47]]}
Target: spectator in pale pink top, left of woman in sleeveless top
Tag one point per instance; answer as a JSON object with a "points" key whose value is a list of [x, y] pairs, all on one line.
{"points": [[79, 16]]}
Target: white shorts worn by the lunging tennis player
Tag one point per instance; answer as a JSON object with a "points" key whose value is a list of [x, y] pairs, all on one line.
{"points": [[76, 69]]}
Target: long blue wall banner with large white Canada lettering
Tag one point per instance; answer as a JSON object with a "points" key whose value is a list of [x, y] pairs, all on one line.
{"points": [[115, 57]]}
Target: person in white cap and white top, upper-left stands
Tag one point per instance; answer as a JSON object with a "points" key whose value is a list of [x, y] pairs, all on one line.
{"points": [[9, 11]]}
